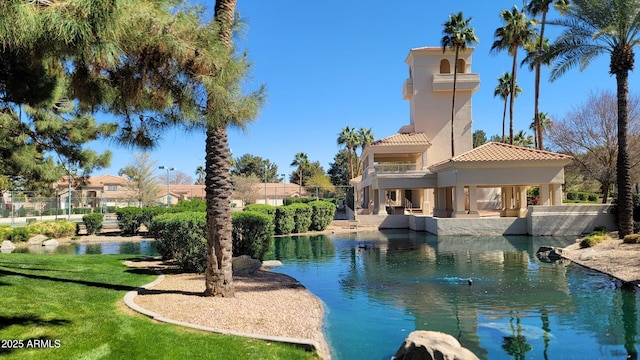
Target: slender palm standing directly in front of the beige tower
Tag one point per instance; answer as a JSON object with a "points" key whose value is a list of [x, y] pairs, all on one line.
{"points": [[456, 36]]}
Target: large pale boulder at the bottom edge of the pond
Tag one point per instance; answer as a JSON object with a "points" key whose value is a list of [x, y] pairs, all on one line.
{"points": [[432, 345]]}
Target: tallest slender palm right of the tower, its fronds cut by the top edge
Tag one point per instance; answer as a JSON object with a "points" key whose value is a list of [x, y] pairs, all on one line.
{"points": [[535, 8]]}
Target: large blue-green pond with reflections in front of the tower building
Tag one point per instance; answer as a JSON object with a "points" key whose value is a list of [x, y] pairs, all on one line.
{"points": [[378, 287]]}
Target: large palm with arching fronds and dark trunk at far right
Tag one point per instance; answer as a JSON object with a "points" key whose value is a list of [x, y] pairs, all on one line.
{"points": [[592, 28]]}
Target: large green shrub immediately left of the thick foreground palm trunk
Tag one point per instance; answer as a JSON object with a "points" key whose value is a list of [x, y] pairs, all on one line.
{"points": [[182, 237]]}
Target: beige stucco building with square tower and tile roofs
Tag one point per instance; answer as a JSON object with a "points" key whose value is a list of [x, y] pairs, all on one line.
{"points": [[414, 173]]}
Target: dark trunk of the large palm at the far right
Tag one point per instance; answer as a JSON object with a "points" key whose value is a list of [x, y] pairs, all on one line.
{"points": [[625, 197]]}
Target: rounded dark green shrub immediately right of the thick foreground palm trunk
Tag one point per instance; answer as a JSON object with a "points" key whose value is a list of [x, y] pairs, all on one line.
{"points": [[252, 233]]}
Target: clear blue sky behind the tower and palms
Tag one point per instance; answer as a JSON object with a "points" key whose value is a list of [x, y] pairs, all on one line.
{"points": [[329, 64]]}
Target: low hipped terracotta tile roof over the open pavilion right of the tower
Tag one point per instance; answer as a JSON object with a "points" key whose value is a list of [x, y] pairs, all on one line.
{"points": [[495, 151]]}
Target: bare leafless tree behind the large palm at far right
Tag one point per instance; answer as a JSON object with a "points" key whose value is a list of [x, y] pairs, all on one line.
{"points": [[589, 133]]}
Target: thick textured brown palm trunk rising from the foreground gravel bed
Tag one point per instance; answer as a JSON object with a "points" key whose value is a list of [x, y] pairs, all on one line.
{"points": [[219, 272]]}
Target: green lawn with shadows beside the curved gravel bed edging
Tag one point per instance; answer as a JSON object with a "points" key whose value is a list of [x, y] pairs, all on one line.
{"points": [[76, 302]]}
